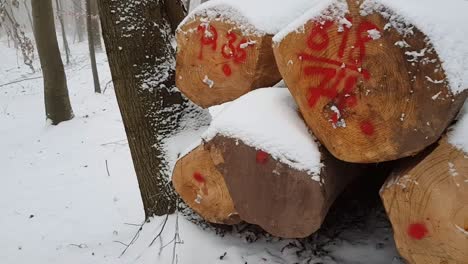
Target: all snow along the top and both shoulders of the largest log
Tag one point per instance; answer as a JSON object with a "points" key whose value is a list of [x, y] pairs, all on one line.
{"points": [[444, 22]]}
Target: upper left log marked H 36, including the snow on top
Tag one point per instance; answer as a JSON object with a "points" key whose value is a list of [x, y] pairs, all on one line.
{"points": [[224, 48]]}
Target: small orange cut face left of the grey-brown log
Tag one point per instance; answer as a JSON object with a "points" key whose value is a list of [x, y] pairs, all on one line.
{"points": [[202, 187]]}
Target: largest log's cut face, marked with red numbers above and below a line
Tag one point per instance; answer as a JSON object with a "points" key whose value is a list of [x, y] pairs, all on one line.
{"points": [[363, 90]]}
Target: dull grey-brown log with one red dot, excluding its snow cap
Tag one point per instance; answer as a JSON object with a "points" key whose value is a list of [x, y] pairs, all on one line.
{"points": [[282, 200]]}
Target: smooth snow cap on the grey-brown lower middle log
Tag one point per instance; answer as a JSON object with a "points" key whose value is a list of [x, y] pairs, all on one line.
{"points": [[268, 119]]}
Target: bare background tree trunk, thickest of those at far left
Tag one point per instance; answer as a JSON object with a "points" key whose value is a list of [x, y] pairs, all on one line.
{"points": [[57, 102]]}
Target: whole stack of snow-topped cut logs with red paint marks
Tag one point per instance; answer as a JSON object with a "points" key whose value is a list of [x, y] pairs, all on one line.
{"points": [[364, 85]]}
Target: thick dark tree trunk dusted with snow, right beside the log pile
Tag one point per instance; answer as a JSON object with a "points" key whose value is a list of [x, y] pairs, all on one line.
{"points": [[142, 61]]}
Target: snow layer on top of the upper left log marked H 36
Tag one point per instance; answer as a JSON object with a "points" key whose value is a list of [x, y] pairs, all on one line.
{"points": [[257, 17]]}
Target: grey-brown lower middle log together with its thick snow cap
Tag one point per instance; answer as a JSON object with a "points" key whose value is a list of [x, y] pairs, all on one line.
{"points": [[277, 175]]}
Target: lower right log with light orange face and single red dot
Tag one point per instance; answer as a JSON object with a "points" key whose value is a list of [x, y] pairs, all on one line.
{"points": [[427, 202]]}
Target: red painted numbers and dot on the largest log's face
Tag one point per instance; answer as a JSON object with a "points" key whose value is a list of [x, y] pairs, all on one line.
{"points": [[332, 78]]}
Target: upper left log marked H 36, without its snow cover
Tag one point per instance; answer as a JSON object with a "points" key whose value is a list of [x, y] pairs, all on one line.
{"points": [[218, 62]]}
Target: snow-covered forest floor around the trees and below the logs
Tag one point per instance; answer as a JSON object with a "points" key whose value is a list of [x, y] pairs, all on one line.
{"points": [[69, 193]]}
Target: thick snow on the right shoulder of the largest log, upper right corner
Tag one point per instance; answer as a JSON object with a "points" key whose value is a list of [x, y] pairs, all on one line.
{"points": [[446, 25]]}
